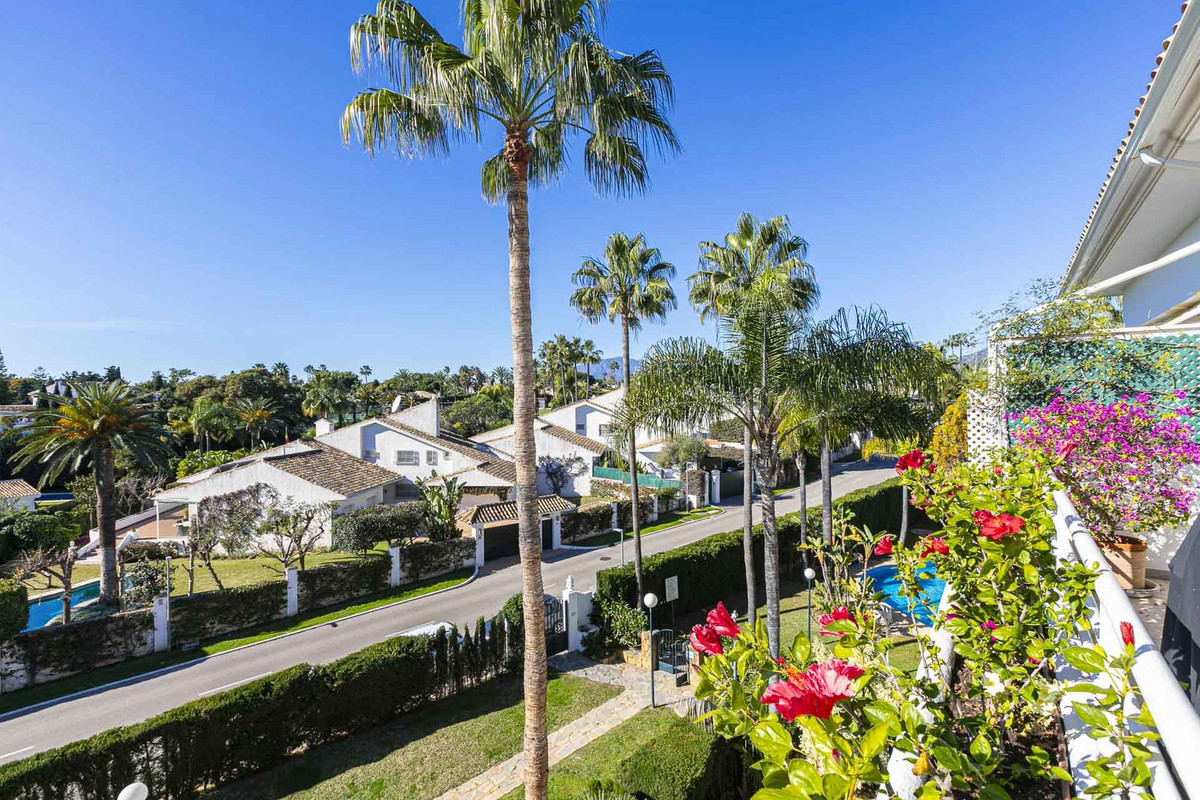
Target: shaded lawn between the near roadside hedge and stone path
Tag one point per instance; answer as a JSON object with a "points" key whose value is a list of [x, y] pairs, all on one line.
{"points": [[427, 754]]}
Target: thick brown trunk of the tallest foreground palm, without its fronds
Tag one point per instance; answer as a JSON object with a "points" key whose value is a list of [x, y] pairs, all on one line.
{"points": [[537, 756]]}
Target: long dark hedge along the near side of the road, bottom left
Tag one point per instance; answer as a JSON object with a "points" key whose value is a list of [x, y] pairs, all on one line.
{"points": [[251, 729]]}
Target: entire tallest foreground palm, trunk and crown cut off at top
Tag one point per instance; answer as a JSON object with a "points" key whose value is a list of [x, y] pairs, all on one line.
{"points": [[541, 73]]}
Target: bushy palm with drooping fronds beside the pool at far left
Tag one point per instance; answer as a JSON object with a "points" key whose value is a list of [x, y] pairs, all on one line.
{"points": [[89, 429]]}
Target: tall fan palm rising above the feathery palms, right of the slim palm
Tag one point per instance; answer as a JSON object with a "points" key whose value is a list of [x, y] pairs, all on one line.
{"points": [[759, 267]]}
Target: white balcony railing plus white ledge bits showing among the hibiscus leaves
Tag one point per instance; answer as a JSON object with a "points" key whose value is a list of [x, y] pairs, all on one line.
{"points": [[1178, 767]]}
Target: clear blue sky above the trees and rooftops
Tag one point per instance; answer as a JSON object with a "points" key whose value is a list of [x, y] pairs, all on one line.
{"points": [[175, 190]]}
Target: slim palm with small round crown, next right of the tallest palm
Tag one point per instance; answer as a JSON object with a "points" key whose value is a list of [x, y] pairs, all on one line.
{"points": [[632, 285]]}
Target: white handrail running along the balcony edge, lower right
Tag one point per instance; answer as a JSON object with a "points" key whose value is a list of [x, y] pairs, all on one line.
{"points": [[1175, 720]]}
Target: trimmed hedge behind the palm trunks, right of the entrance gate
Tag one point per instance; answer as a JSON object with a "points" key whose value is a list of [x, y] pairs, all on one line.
{"points": [[713, 568]]}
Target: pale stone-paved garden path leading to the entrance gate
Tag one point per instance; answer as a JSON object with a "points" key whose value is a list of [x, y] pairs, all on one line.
{"points": [[506, 777]]}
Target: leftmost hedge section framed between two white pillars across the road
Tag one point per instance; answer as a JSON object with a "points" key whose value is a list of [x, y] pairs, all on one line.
{"points": [[214, 613]]}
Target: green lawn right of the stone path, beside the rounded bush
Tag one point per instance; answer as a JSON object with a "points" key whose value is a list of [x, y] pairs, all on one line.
{"points": [[602, 760]]}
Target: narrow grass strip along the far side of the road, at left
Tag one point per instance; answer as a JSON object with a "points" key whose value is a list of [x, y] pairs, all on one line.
{"points": [[21, 699]]}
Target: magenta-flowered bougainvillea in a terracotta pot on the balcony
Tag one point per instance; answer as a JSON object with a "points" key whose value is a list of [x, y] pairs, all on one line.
{"points": [[1124, 466]]}
